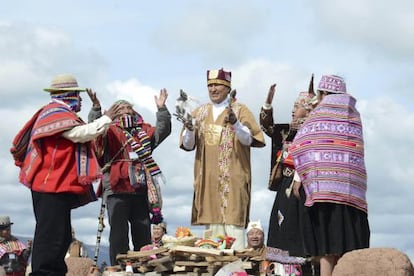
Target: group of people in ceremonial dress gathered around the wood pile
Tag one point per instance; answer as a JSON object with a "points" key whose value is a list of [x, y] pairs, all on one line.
{"points": [[317, 171]]}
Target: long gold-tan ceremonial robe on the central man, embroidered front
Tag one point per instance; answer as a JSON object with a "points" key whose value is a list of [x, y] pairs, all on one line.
{"points": [[222, 171]]}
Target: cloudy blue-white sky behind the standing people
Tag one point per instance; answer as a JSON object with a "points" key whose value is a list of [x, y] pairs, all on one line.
{"points": [[132, 49]]}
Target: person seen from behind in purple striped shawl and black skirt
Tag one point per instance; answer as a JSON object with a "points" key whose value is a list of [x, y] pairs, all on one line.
{"points": [[328, 152]]}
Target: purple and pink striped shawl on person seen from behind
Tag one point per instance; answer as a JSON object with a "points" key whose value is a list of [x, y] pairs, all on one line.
{"points": [[328, 153]]}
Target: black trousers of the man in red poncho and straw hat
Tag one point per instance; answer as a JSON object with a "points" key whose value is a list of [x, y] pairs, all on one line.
{"points": [[52, 234]]}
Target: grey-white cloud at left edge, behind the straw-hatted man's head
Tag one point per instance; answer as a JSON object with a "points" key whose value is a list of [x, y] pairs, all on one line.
{"points": [[31, 55]]}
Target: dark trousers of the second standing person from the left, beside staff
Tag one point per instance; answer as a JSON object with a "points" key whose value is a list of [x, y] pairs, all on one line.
{"points": [[124, 209]]}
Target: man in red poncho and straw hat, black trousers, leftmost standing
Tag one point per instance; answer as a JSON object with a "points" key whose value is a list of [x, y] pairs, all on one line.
{"points": [[57, 163]]}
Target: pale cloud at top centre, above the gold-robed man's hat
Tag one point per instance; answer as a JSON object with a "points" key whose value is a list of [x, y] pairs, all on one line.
{"points": [[221, 29]]}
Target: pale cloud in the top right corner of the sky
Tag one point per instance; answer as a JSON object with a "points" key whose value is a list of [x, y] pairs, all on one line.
{"points": [[375, 25]]}
